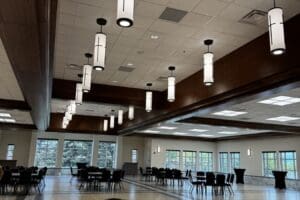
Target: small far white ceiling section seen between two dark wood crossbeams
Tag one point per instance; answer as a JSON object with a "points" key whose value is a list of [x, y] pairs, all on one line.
{"points": [[87, 108]]}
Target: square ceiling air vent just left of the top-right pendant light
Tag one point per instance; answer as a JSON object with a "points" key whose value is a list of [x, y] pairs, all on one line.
{"points": [[255, 17]]}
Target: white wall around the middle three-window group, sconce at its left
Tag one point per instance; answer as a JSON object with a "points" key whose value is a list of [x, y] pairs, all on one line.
{"points": [[158, 159]]}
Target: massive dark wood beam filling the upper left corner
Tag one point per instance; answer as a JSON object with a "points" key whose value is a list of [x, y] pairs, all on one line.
{"points": [[27, 30]]}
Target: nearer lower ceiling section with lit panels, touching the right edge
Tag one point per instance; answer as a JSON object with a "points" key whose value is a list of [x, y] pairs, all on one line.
{"points": [[260, 112]]}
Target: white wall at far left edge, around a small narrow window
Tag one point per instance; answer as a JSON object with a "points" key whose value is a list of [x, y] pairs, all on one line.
{"points": [[21, 139]]}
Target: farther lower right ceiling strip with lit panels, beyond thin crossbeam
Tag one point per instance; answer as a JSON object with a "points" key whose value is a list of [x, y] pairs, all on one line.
{"points": [[193, 130]]}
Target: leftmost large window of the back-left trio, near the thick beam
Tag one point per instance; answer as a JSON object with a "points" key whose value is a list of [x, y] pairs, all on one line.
{"points": [[45, 153]]}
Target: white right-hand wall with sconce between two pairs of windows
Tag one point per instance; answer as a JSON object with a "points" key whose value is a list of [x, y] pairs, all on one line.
{"points": [[253, 164]]}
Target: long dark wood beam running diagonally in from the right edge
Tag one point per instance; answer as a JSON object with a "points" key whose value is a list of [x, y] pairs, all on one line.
{"points": [[245, 71]]}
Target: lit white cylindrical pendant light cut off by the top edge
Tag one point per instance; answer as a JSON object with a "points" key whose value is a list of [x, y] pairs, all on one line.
{"points": [[125, 13]]}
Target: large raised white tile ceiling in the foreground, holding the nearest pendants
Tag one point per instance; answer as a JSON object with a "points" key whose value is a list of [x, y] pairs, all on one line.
{"points": [[179, 44]]}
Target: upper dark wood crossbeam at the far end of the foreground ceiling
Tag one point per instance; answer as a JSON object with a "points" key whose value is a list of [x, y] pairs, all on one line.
{"points": [[65, 89]]}
